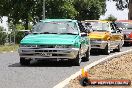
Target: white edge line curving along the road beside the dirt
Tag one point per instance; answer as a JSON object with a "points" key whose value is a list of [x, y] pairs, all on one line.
{"points": [[67, 80]]}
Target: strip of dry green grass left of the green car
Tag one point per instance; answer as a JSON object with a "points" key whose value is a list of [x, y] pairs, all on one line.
{"points": [[8, 48]]}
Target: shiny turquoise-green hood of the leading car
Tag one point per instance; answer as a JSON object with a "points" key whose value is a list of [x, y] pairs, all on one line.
{"points": [[49, 39]]}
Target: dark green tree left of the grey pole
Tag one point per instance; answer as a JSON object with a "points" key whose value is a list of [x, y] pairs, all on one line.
{"points": [[17, 10]]}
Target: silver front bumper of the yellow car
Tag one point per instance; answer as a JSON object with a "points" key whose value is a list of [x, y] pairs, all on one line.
{"points": [[98, 44]]}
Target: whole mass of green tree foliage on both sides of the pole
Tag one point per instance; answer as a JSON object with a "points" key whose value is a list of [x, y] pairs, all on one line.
{"points": [[26, 11]]}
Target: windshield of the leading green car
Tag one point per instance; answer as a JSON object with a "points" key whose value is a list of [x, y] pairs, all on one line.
{"points": [[55, 27]]}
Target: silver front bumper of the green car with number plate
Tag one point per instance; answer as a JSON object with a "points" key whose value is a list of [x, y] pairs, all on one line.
{"points": [[48, 53]]}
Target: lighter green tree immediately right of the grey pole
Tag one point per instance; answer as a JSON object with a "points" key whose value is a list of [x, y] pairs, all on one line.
{"points": [[60, 9]]}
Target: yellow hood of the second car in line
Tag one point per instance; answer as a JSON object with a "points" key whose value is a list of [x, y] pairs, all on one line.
{"points": [[98, 35]]}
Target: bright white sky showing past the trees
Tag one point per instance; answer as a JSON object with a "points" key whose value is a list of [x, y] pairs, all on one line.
{"points": [[111, 9]]}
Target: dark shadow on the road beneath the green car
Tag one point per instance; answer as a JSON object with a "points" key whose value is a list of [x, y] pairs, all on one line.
{"points": [[45, 64]]}
